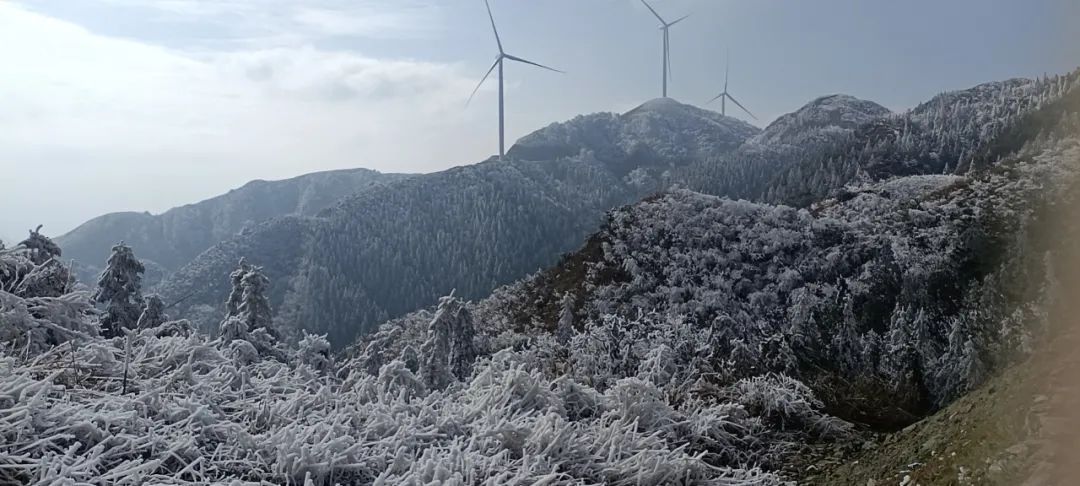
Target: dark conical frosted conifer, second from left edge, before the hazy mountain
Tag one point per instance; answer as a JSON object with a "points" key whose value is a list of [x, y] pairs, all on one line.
{"points": [[118, 289]]}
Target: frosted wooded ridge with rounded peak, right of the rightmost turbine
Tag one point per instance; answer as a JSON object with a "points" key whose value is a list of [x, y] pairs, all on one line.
{"points": [[815, 153]]}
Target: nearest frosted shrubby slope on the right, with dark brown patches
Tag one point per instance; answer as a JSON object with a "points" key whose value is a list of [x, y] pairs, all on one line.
{"points": [[888, 302]]}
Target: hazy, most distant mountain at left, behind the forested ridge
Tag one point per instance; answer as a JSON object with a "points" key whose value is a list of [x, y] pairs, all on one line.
{"points": [[172, 239]]}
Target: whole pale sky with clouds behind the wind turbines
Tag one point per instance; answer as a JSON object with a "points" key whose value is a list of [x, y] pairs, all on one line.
{"points": [[145, 105]]}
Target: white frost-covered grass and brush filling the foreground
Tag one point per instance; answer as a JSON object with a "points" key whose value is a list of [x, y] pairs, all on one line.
{"points": [[194, 413]]}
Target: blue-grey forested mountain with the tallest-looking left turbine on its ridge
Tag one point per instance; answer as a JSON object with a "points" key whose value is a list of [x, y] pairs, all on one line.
{"points": [[400, 247]]}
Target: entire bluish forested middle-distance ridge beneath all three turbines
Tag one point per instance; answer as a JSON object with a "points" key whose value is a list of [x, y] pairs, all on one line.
{"points": [[389, 251]]}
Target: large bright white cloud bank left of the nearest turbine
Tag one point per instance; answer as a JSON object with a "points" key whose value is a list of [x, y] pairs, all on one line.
{"points": [[120, 125]]}
